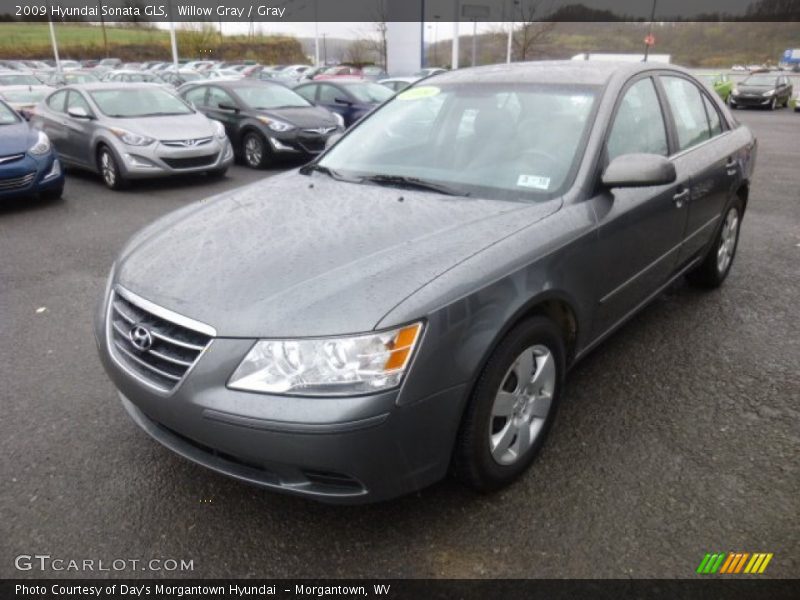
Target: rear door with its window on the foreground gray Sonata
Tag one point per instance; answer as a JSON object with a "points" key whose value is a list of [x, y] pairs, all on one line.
{"points": [[703, 155]]}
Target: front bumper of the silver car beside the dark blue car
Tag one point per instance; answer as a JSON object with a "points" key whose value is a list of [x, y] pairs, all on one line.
{"points": [[160, 160]]}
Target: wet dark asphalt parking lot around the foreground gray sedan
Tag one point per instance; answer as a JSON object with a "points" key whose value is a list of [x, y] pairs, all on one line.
{"points": [[679, 436]]}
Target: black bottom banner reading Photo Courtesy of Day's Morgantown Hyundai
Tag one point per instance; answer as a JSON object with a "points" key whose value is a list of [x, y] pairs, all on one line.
{"points": [[401, 589]]}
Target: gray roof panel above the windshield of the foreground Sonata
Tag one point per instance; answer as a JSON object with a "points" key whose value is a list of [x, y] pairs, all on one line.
{"points": [[551, 71]]}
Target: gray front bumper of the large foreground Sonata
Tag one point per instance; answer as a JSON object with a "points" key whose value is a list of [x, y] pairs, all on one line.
{"points": [[341, 450]]}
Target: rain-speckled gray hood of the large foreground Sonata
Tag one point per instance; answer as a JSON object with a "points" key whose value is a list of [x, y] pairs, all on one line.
{"points": [[306, 256]]}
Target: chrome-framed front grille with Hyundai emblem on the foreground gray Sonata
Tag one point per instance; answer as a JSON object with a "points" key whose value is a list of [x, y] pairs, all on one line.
{"points": [[173, 350]]}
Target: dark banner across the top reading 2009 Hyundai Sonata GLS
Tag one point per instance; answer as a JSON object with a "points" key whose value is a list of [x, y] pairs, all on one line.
{"points": [[398, 10]]}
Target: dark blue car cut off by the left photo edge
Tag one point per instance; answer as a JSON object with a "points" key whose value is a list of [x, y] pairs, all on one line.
{"points": [[28, 162]]}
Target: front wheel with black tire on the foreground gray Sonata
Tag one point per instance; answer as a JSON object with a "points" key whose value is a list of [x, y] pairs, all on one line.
{"points": [[491, 449]]}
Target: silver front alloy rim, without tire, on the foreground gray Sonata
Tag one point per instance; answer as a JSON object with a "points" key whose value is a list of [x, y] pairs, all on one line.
{"points": [[522, 404]]}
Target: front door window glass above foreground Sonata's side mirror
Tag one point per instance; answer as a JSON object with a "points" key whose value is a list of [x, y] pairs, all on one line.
{"points": [[639, 124]]}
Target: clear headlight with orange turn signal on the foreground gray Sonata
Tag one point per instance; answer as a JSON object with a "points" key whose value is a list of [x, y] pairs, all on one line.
{"points": [[328, 366]]}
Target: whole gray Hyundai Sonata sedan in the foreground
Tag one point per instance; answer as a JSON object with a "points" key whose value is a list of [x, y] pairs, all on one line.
{"points": [[409, 303]]}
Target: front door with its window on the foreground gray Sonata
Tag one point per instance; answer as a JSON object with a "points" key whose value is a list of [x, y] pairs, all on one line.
{"points": [[640, 229]]}
